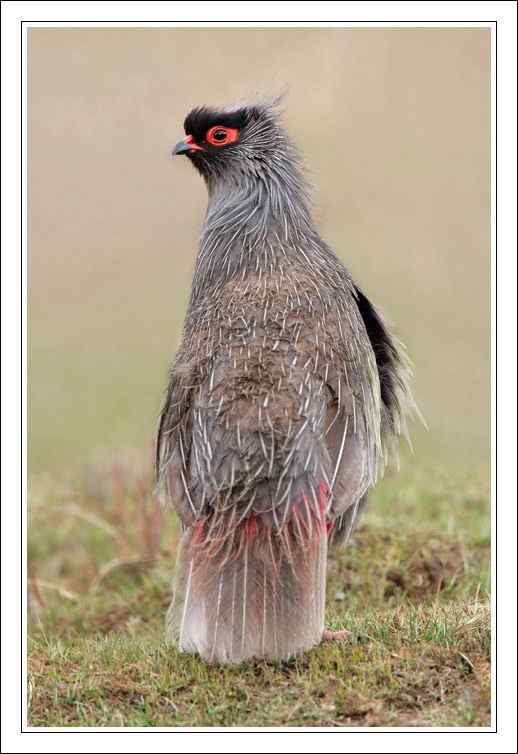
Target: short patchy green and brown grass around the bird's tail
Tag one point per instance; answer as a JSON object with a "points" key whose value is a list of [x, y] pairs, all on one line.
{"points": [[412, 589]]}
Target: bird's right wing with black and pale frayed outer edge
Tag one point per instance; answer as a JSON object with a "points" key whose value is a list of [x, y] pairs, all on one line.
{"points": [[372, 401]]}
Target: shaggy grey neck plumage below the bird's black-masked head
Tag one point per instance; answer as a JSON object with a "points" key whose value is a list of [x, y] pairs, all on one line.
{"points": [[254, 221]]}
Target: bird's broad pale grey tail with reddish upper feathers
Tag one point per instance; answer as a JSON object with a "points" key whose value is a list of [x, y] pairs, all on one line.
{"points": [[250, 589]]}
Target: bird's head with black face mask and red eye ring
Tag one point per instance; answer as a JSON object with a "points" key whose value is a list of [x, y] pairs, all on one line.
{"points": [[235, 143]]}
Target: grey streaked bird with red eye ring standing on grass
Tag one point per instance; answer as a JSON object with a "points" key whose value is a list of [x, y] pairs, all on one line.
{"points": [[286, 398]]}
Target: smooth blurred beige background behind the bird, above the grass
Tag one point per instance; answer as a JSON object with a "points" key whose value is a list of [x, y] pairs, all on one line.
{"points": [[394, 126]]}
